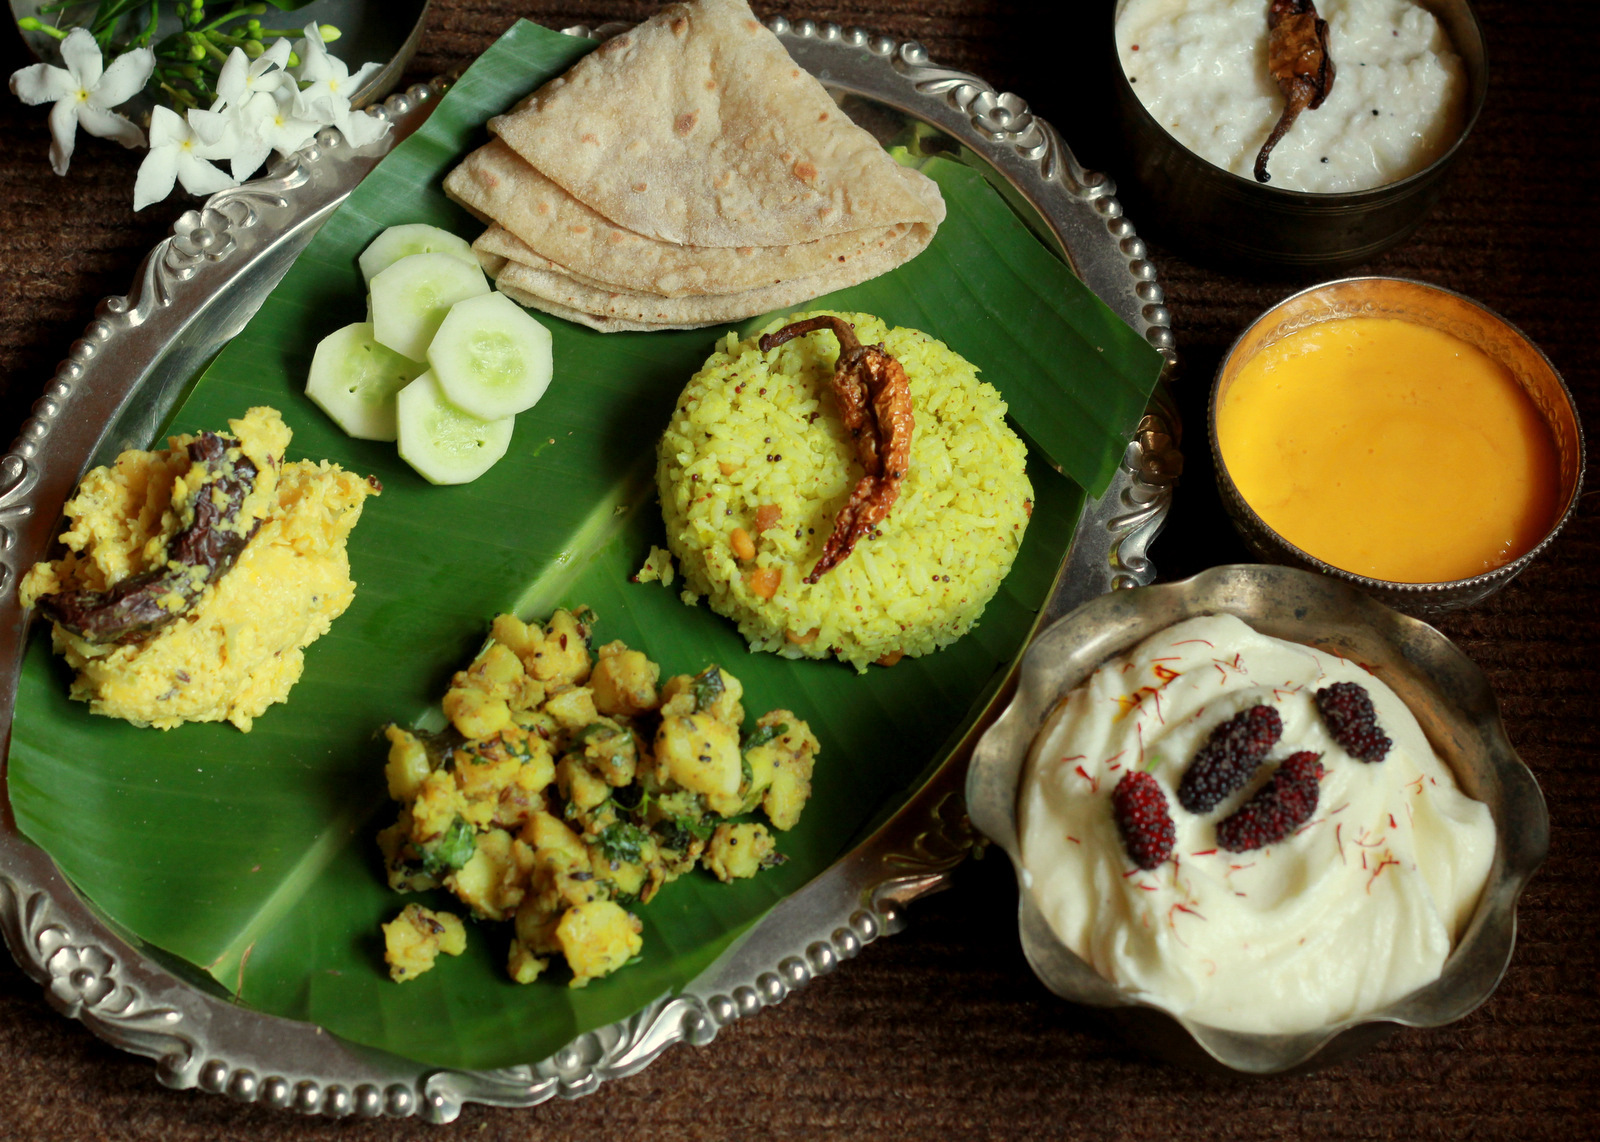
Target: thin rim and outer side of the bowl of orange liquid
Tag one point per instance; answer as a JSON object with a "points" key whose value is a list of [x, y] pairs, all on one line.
{"points": [[1473, 589]]}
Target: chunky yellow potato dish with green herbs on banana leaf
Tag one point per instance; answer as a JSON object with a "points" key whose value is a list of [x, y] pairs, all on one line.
{"points": [[567, 791]]}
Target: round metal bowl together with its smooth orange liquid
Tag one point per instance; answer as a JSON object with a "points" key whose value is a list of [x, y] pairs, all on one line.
{"points": [[1399, 437]]}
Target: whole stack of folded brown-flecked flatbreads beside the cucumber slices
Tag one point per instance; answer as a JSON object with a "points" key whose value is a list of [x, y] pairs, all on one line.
{"points": [[687, 174]]}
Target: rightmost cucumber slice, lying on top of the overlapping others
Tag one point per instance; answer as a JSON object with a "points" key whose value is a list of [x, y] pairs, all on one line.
{"points": [[490, 357]]}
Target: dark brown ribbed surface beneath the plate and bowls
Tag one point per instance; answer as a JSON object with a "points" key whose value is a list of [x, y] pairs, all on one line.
{"points": [[943, 1032]]}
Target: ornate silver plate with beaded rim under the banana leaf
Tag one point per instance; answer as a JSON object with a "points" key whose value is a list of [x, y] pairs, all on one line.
{"points": [[198, 290]]}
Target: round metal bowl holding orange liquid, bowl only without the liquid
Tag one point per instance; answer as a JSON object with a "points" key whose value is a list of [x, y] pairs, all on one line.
{"points": [[1439, 309]]}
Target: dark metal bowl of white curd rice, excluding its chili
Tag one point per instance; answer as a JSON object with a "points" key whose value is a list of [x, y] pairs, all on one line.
{"points": [[1196, 100]]}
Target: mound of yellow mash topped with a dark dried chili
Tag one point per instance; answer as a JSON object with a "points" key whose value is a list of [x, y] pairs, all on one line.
{"points": [[196, 577]]}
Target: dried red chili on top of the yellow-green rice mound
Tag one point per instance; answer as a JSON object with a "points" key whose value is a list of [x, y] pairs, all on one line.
{"points": [[874, 402]]}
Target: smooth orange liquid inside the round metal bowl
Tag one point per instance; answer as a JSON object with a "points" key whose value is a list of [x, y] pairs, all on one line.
{"points": [[1391, 450]]}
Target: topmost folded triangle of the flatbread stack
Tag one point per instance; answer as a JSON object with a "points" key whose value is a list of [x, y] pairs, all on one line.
{"points": [[698, 129]]}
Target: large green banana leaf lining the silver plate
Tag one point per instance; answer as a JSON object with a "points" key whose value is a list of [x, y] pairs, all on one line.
{"points": [[254, 858]]}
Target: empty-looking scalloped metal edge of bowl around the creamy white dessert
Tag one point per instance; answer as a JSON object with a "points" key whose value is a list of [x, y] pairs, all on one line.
{"points": [[1452, 701]]}
